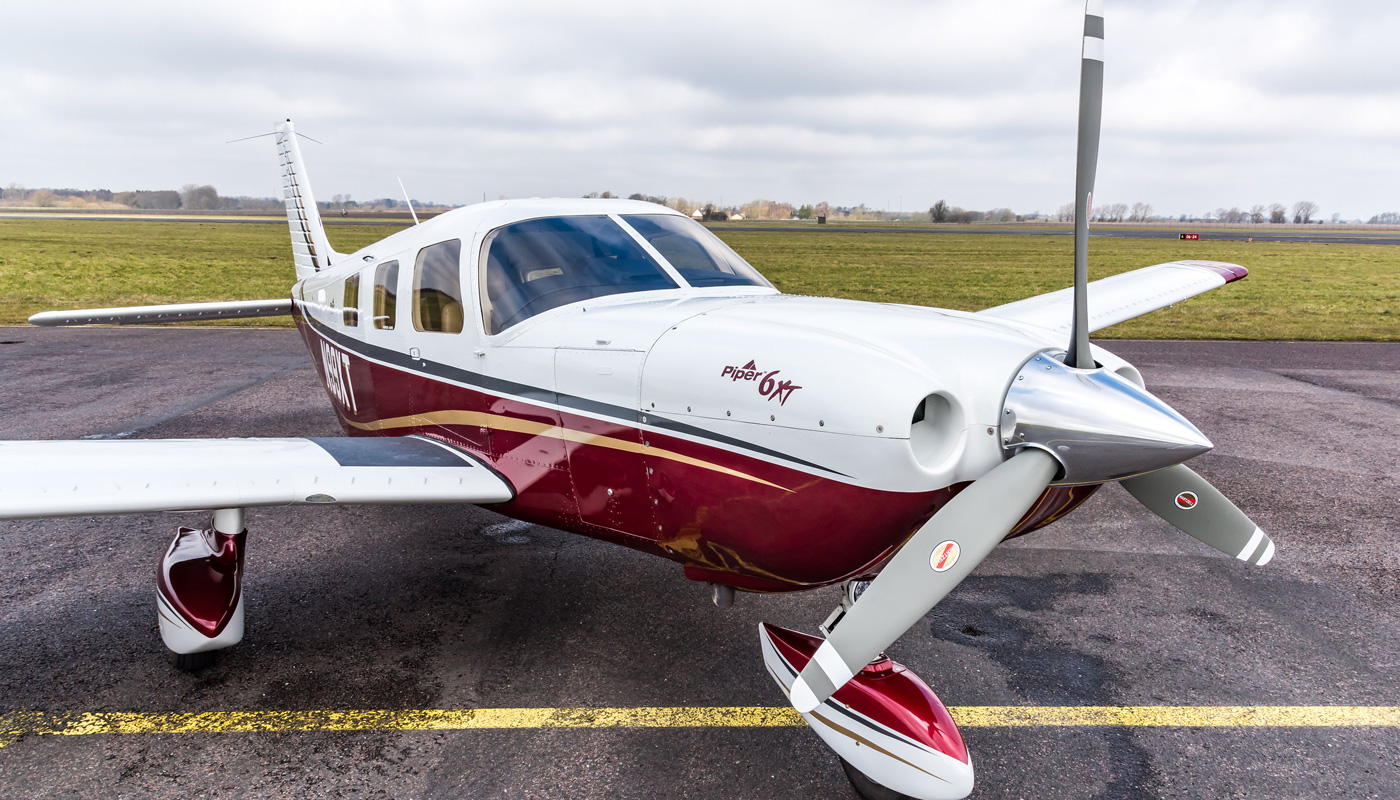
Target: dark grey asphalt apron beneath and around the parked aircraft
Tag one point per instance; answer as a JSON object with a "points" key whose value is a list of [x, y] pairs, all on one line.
{"points": [[430, 610]]}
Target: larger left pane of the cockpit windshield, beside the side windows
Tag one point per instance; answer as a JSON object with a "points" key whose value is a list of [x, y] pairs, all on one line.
{"points": [[538, 265]]}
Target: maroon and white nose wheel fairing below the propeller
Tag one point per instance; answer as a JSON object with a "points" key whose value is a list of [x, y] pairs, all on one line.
{"points": [[885, 722]]}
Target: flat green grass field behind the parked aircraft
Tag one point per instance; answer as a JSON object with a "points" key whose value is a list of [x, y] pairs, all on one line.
{"points": [[1296, 291]]}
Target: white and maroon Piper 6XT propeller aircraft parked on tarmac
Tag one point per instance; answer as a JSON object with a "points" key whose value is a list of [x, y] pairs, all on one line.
{"points": [[612, 369]]}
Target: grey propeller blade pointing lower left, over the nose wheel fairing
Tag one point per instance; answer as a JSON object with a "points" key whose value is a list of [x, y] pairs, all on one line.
{"points": [[925, 571]]}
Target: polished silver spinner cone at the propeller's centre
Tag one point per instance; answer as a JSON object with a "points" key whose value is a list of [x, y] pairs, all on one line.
{"points": [[1100, 425]]}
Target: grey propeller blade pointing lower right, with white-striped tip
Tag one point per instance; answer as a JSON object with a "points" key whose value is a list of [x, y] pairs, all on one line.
{"points": [[1189, 502]]}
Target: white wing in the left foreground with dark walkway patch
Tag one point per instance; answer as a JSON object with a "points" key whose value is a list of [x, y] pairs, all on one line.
{"points": [[131, 477]]}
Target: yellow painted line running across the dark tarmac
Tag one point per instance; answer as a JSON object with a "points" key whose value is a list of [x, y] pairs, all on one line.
{"points": [[87, 724]]}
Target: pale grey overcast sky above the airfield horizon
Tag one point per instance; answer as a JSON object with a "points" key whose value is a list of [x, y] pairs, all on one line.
{"points": [[892, 104]]}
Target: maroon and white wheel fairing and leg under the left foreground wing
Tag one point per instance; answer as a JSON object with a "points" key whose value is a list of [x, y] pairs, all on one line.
{"points": [[199, 591]]}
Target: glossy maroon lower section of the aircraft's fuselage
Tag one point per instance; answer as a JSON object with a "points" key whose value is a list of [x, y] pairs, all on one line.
{"points": [[768, 529]]}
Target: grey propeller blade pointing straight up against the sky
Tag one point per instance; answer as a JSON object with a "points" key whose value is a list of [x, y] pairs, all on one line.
{"points": [[1091, 117]]}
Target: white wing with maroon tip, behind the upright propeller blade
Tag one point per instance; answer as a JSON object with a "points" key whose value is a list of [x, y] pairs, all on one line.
{"points": [[1123, 296]]}
